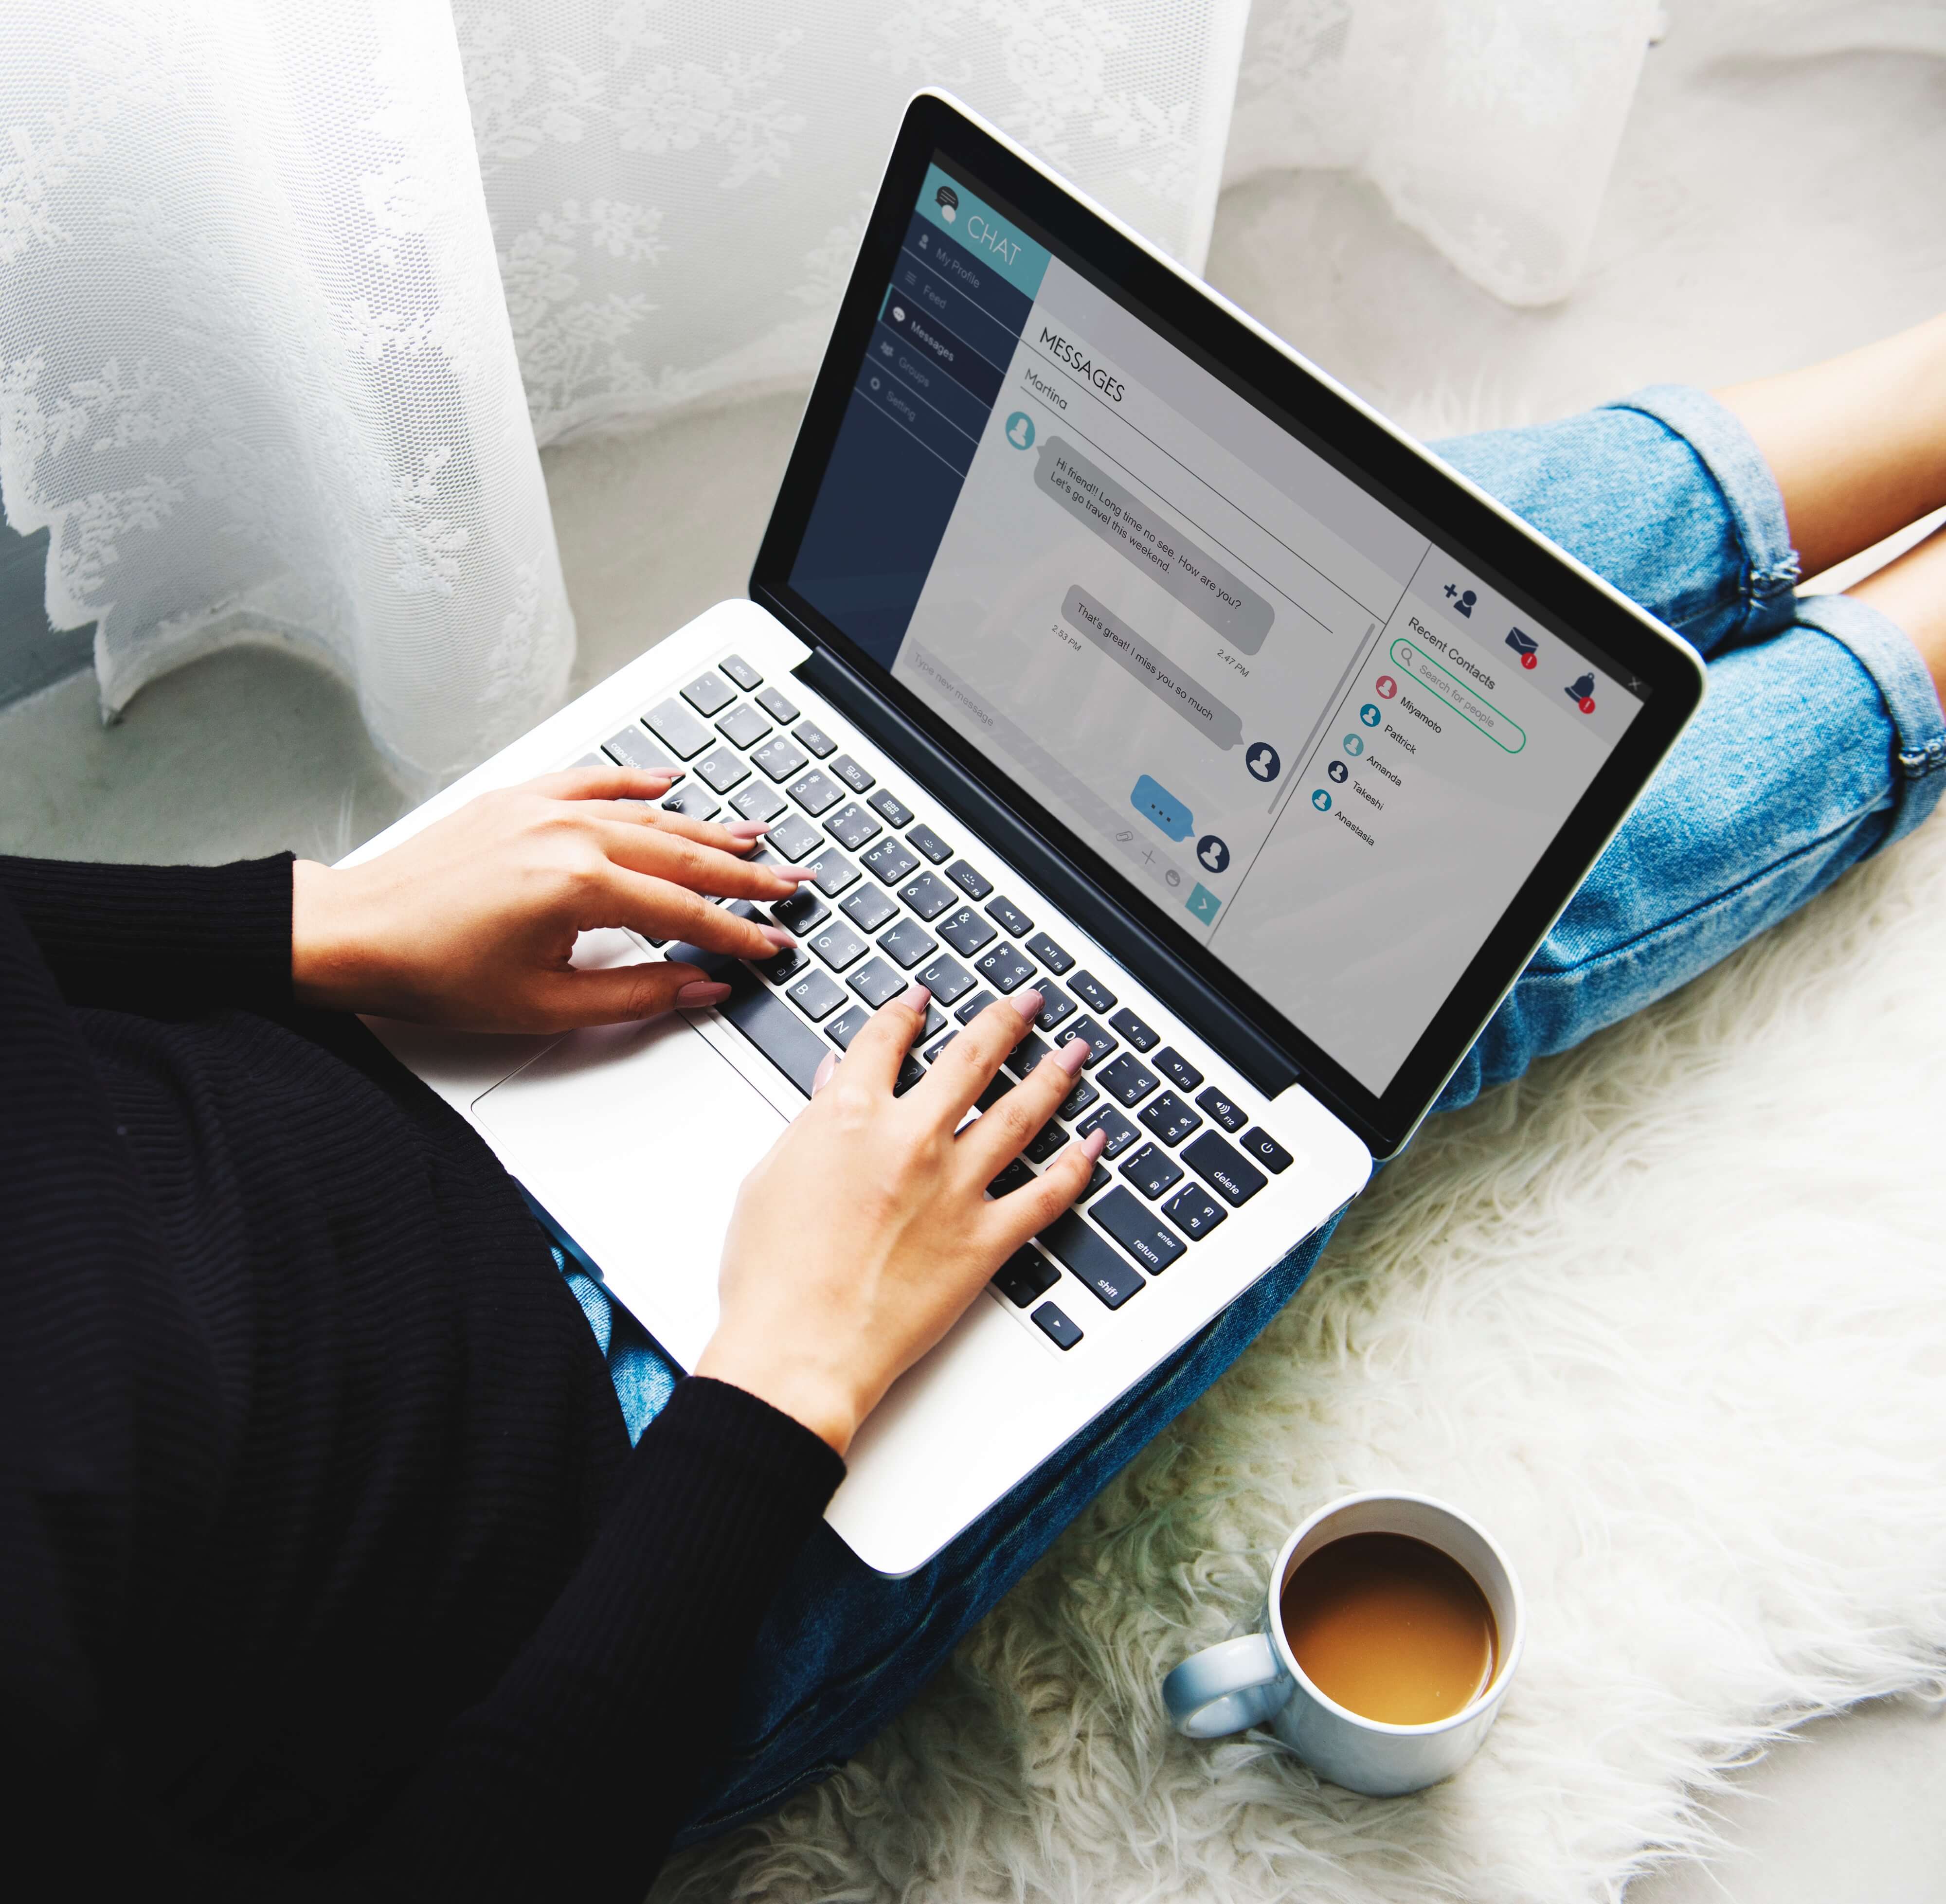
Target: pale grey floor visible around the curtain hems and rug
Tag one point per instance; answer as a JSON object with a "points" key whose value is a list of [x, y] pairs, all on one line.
{"points": [[1766, 211]]}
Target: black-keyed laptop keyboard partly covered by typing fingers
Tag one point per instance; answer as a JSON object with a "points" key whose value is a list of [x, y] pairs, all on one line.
{"points": [[898, 902]]}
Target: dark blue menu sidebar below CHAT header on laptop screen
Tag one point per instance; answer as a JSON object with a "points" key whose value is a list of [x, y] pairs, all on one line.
{"points": [[931, 375]]}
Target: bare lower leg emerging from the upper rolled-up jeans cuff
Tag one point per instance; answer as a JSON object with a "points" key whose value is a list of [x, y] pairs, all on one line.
{"points": [[1857, 447]]}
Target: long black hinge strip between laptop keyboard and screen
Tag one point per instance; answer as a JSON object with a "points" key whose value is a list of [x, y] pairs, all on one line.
{"points": [[1087, 902]]}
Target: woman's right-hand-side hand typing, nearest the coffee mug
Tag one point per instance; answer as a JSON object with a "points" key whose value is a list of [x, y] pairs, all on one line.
{"points": [[867, 1231]]}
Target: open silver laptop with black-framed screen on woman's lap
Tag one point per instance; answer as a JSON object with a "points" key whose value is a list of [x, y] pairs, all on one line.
{"points": [[1100, 645]]}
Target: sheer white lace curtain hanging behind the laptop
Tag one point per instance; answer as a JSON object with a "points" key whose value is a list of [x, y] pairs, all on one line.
{"points": [[291, 295]]}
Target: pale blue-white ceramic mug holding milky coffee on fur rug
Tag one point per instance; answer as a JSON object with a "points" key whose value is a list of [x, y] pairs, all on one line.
{"points": [[1258, 1679]]}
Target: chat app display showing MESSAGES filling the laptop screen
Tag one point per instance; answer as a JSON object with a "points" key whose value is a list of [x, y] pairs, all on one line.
{"points": [[1309, 733]]}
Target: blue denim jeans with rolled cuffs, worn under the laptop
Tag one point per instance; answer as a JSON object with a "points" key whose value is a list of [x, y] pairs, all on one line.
{"points": [[1820, 741]]}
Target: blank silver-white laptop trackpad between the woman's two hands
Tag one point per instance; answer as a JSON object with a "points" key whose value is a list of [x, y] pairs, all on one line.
{"points": [[635, 1138]]}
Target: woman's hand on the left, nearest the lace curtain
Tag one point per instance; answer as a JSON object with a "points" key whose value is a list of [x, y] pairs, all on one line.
{"points": [[472, 922]]}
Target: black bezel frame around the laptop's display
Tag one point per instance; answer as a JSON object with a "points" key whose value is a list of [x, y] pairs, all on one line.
{"points": [[1499, 550]]}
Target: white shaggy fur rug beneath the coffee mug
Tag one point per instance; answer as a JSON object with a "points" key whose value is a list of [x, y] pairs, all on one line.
{"points": [[1667, 1317]]}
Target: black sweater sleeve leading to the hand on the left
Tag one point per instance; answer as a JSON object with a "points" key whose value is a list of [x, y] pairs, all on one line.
{"points": [[164, 941]]}
